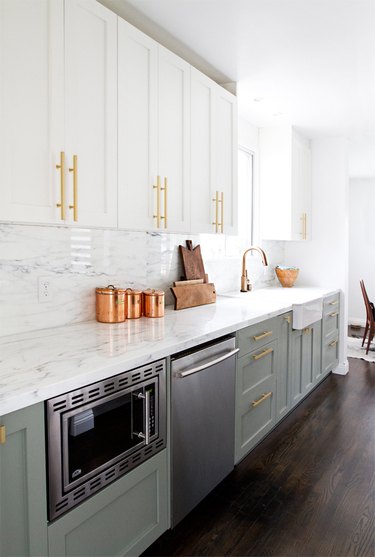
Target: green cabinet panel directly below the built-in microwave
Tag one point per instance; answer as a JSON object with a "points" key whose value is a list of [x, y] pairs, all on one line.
{"points": [[123, 519]]}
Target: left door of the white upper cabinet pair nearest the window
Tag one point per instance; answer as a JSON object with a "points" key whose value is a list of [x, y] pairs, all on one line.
{"points": [[202, 147]]}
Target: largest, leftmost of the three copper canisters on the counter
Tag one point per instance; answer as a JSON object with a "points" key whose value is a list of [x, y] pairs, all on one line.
{"points": [[110, 304]]}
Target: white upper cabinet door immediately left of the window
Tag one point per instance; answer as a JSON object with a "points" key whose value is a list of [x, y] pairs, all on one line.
{"points": [[226, 159]]}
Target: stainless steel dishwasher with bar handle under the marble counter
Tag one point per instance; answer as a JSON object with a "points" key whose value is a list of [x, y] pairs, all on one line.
{"points": [[203, 396]]}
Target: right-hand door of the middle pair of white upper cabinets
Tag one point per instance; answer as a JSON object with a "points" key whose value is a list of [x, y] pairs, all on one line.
{"points": [[173, 140]]}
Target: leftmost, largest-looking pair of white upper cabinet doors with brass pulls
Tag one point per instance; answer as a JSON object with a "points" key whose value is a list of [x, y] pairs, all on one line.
{"points": [[58, 99]]}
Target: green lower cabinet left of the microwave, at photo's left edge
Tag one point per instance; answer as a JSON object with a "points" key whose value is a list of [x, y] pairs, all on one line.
{"points": [[23, 500]]}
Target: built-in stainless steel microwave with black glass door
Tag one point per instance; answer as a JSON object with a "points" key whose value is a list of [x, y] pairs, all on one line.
{"points": [[98, 433]]}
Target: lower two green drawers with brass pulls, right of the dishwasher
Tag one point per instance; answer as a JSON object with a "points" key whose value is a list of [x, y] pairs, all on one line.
{"points": [[255, 397]]}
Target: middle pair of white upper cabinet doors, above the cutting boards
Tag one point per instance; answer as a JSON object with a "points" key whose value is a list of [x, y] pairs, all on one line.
{"points": [[154, 88]]}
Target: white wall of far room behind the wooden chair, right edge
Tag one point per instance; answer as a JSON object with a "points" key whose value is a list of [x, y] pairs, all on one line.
{"points": [[361, 246]]}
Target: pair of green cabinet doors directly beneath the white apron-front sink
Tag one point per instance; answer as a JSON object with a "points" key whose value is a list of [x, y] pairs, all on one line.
{"points": [[305, 361]]}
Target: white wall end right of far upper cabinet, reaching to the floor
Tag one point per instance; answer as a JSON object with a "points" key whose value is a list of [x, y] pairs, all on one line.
{"points": [[323, 261]]}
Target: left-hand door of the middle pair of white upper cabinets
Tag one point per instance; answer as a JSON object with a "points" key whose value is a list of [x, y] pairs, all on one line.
{"points": [[137, 134]]}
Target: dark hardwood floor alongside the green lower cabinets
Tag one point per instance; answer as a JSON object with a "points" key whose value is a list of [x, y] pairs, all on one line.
{"points": [[306, 490]]}
